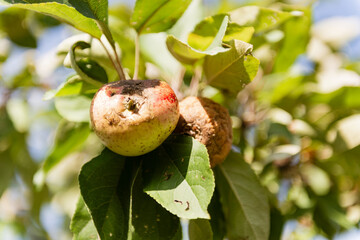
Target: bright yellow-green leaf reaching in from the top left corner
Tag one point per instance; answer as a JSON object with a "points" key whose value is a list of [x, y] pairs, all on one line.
{"points": [[65, 12]]}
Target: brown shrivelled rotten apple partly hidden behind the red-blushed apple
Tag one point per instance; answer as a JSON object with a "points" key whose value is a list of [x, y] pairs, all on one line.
{"points": [[209, 123]]}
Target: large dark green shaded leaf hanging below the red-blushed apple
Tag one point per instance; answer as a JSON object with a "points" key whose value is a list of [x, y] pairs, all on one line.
{"points": [[111, 186]]}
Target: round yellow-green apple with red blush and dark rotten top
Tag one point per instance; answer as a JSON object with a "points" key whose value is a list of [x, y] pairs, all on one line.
{"points": [[133, 117]]}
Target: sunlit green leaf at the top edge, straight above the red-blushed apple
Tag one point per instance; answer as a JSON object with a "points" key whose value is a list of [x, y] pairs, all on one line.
{"points": [[157, 15]]}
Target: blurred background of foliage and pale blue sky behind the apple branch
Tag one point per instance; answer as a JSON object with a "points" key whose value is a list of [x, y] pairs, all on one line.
{"points": [[297, 123]]}
